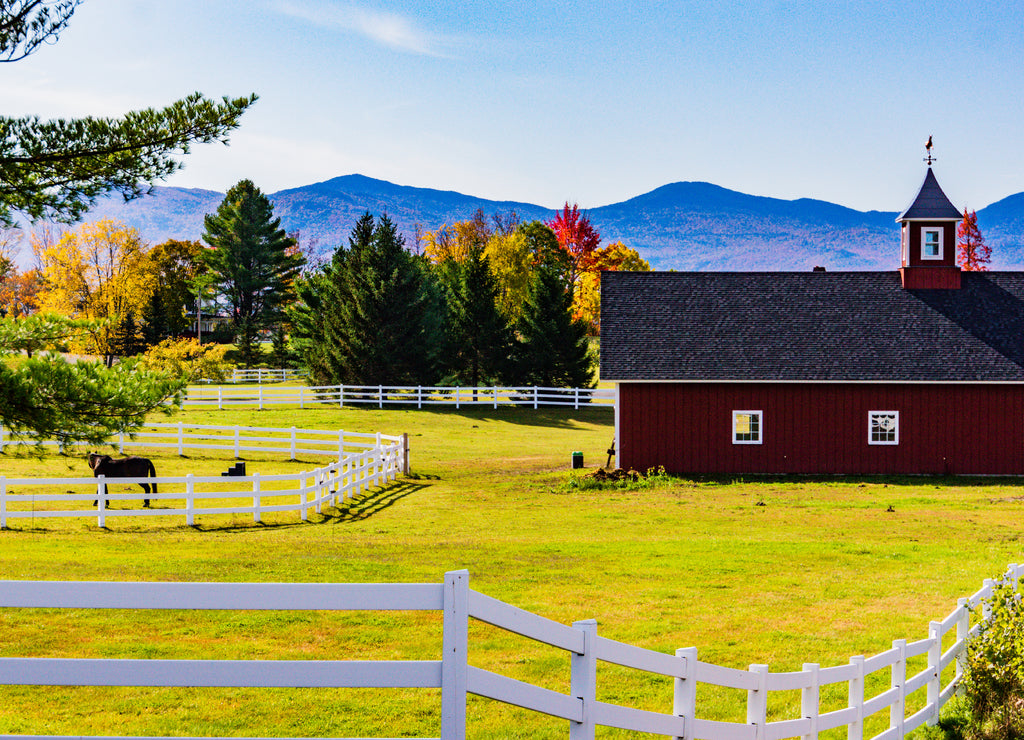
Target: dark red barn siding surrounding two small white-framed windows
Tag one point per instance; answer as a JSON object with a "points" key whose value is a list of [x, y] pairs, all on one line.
{"points": [[823, 428]]}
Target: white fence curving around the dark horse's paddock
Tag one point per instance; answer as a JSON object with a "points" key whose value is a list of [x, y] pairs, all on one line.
{"points": [[378, 460]]}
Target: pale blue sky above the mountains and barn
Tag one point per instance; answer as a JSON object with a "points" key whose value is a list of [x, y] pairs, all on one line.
{"points": [[592, 102]]}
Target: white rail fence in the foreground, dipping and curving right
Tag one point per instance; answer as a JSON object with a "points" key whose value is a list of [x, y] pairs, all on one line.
{"points": [[456, 678]]}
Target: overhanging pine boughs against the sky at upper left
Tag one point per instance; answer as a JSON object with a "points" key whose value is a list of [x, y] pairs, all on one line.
{"points": [[56, 170]]}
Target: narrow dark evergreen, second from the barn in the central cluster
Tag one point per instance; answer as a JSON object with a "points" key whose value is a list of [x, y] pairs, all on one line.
{"points": [[480, 339]]}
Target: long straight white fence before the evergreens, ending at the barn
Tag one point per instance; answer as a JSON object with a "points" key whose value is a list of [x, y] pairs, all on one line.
{"points": [[380, 397]]}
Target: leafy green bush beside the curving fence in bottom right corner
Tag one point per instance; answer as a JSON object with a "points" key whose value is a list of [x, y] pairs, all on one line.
{"points": [[994, 677]]}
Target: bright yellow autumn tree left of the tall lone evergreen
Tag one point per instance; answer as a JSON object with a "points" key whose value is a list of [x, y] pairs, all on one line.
{"points": [[98, 271]]}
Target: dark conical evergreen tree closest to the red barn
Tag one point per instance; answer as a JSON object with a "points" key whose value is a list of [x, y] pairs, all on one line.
{"points": [[553, 350]]}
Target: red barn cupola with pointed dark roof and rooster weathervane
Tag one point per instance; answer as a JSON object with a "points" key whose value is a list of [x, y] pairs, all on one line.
{"points": [[928, 237]]}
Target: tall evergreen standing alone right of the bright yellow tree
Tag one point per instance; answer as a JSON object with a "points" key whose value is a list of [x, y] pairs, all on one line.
{"points": [[254, 263]]}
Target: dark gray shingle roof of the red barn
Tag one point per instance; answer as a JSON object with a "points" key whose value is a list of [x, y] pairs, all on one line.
{"points": [[810, 327]]}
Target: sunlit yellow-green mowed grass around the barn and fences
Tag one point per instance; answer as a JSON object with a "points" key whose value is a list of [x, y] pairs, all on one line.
{"points": [[778, 572]]}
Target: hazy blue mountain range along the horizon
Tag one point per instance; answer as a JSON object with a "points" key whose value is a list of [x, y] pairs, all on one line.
{"points": [[682, 227]]}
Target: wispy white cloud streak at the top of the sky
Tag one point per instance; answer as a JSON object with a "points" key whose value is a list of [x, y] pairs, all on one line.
{"points": [[392, 30]]}
